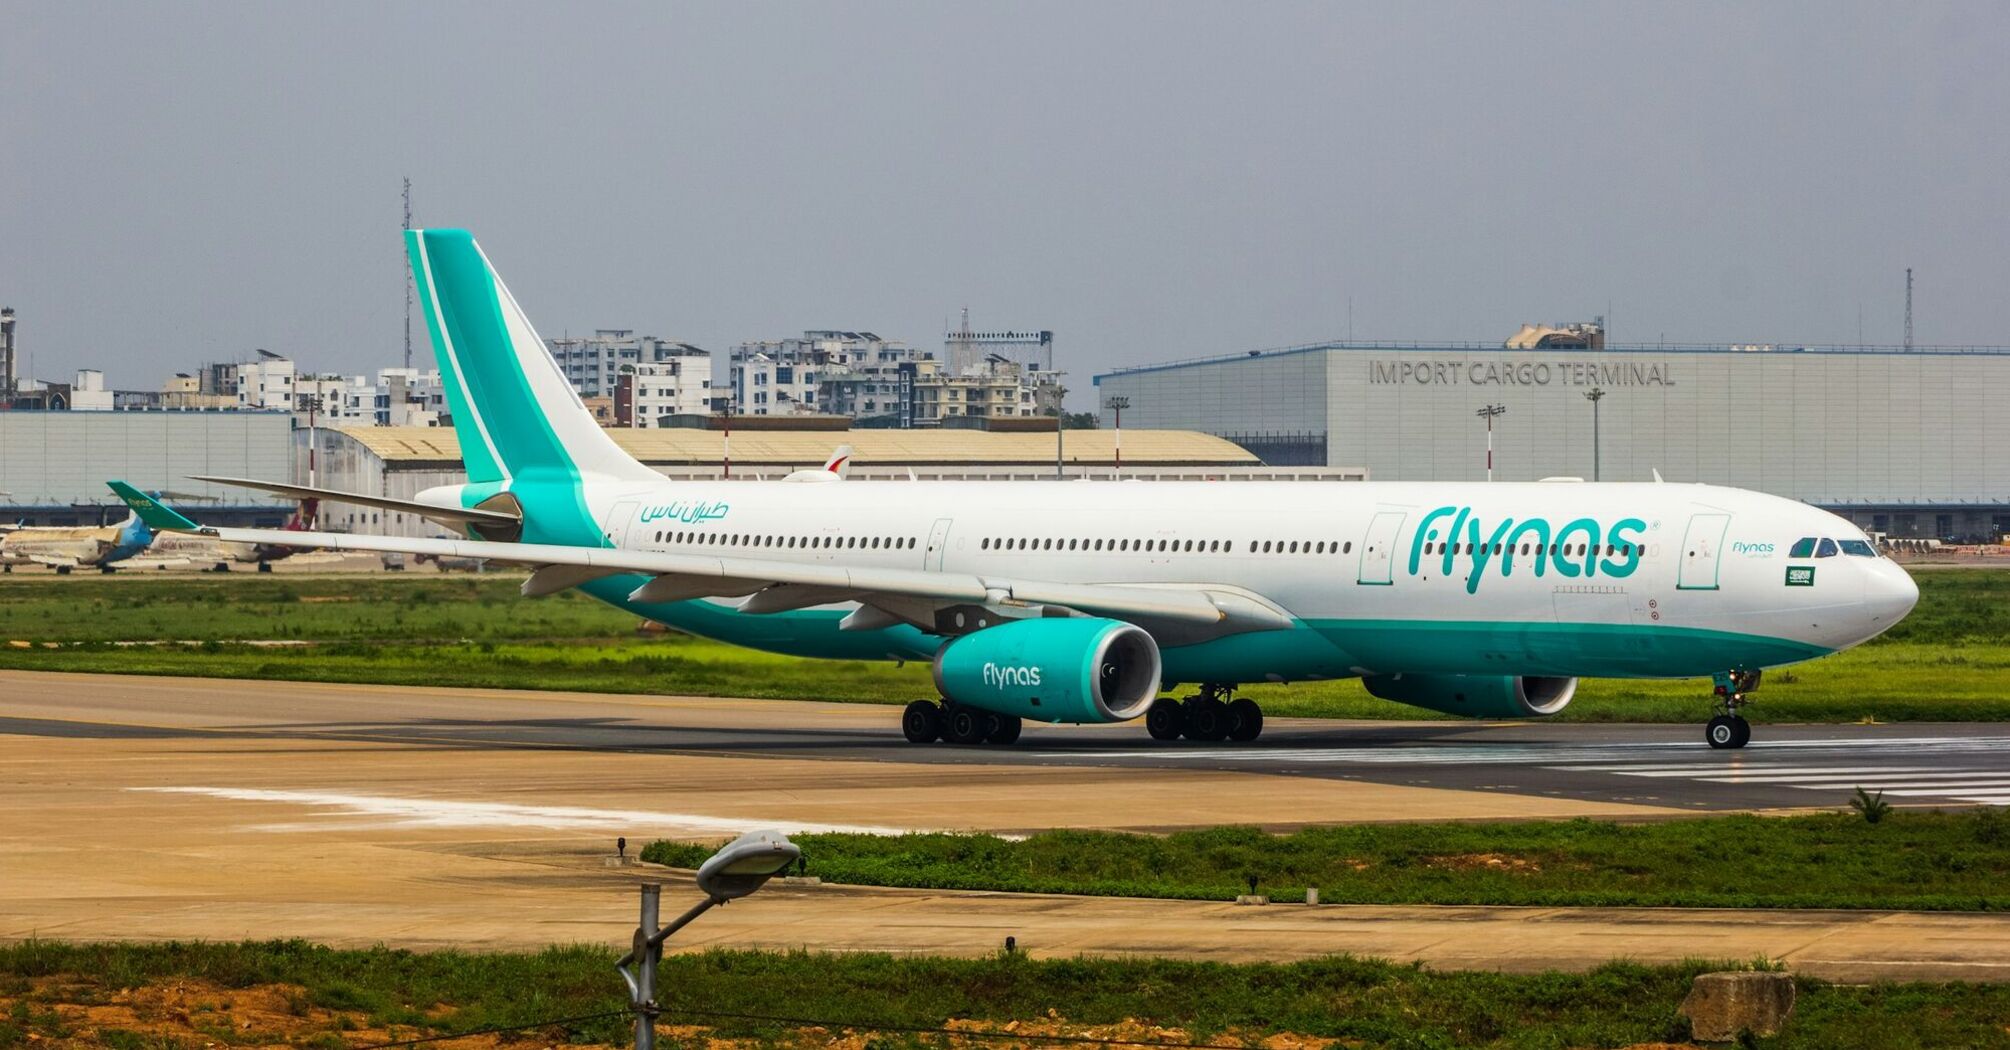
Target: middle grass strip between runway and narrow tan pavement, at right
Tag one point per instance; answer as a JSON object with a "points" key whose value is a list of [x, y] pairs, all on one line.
{"points": [[1943, 862]]}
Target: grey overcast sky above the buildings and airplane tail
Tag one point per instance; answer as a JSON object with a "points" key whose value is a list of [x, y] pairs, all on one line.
{"points": [[1157, 180]]}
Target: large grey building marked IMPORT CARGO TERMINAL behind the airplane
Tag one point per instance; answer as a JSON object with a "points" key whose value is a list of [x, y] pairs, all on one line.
{"points": [[1913, 444]]}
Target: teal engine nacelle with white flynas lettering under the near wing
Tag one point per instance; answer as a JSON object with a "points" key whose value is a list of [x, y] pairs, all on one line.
{"points": [[1052, 671]]}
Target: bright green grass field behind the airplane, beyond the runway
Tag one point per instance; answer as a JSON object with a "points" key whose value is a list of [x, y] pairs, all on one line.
{"points": [[1949, 661]]}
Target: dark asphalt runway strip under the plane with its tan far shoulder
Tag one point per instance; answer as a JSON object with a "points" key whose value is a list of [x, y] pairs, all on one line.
{"points": [[1784, 767]]}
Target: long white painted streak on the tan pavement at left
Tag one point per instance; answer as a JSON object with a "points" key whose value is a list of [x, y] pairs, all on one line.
{"points": [[387, 812]]}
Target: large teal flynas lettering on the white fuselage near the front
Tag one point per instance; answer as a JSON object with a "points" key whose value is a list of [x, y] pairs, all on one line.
{"points": [[1607, 550]]}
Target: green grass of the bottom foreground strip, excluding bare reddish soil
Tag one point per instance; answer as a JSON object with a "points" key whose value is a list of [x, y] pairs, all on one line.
{"points": [[1360, 1001]]}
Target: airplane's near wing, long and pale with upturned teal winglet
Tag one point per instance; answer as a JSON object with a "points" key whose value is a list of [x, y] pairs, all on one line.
{"points": [[912, 596]]}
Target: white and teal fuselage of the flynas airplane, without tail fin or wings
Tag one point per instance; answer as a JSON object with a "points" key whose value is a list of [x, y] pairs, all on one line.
{"points": [[1378, 578]]}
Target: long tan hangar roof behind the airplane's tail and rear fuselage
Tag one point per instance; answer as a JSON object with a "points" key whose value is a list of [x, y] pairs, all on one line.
{"points": [[429, 446]]}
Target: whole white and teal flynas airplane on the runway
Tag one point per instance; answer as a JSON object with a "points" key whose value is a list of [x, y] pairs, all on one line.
{"points": [[1086, 602]]}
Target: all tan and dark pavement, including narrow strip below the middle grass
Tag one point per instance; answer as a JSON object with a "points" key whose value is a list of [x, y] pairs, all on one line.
{"points": [[168, 808]]}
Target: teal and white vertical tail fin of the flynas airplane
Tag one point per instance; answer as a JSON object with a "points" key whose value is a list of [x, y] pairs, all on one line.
{"points": [[516, 413]]}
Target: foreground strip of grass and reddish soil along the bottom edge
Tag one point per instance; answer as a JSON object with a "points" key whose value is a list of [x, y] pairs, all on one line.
{"points": [[57, 995]]}
